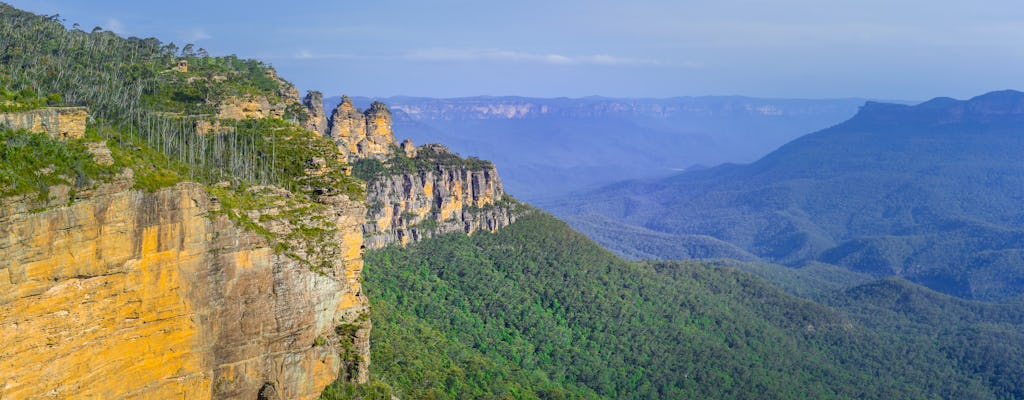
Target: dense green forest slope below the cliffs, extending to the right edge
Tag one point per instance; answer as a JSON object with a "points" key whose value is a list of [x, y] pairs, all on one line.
{"points": [[539, 312]]}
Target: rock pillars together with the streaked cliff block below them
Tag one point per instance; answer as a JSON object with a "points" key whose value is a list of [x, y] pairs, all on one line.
{"points": [[414, 193]]}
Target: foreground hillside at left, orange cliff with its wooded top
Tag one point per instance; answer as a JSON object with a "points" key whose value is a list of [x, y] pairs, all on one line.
{"points": [[168, 229]]}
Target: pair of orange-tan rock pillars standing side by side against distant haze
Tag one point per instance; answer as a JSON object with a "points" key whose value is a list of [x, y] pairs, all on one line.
{"points": [[362, 136]]}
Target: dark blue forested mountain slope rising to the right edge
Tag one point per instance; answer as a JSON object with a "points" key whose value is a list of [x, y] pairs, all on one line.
{"points": [[930, 193]]}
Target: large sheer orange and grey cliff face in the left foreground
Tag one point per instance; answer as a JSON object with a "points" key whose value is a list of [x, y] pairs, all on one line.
{"points": [[136, 295]]}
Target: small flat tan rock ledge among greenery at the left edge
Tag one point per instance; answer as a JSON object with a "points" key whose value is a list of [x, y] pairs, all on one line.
{"points": [[60, 123]]}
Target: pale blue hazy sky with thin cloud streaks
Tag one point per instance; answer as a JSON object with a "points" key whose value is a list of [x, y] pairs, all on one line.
{"points": [[444, 49]]}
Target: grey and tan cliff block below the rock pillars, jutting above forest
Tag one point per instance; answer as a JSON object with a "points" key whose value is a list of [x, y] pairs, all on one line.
{"points": [[442, 198]]}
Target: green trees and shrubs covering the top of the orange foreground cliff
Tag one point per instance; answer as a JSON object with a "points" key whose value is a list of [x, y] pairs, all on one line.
{"points": [[148, 111]]}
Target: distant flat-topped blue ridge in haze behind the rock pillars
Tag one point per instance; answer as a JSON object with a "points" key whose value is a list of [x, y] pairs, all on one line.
{"points": [[551, 147]]}
